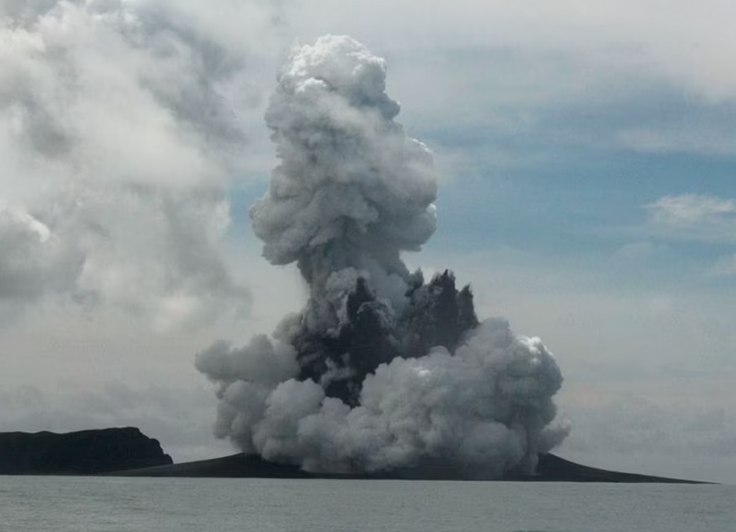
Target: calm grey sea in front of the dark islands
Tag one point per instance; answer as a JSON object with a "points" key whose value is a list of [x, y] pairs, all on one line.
{"points": [[79, 504]]}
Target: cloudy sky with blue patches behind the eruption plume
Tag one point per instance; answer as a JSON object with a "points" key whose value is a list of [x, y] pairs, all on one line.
{"points": [[587, 193]]}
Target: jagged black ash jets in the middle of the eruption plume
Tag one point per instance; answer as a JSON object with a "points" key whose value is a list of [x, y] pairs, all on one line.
{"points": [[438, 314]]}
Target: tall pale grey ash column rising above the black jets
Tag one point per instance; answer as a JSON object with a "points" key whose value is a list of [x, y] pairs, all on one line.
{"points": [[352, 190]]}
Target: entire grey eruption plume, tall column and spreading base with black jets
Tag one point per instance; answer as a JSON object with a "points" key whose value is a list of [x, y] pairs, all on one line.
{"points": [[383, 371]]}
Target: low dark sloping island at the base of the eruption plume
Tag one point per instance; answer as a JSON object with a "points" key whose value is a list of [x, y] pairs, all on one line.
{"points": [[551, 468]]}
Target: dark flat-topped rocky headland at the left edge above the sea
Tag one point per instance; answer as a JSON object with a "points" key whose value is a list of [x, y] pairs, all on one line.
{"points": [[78, 453]]}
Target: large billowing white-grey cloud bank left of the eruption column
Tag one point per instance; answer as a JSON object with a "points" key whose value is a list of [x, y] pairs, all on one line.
{"points": [[120, 122]]}
